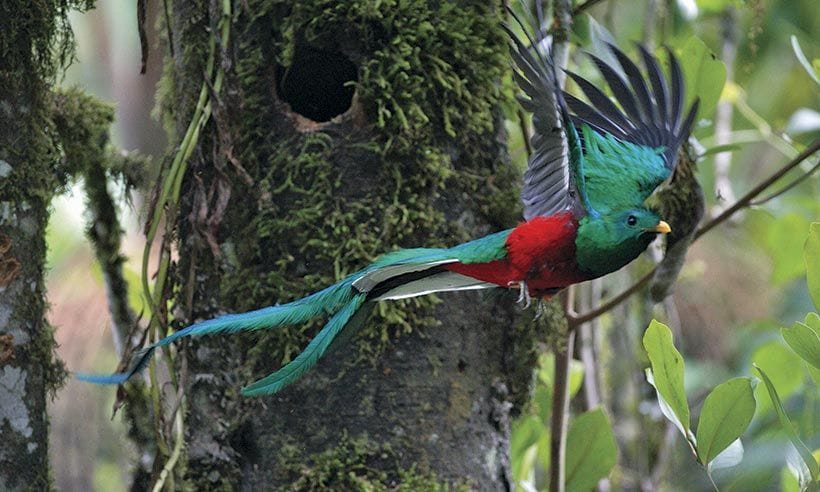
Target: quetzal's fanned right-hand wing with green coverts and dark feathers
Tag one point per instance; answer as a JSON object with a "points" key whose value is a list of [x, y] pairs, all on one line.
{"points": [[648, 122]]}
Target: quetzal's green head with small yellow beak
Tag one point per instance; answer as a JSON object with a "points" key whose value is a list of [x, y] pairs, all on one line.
{"points": [[607, 242]]}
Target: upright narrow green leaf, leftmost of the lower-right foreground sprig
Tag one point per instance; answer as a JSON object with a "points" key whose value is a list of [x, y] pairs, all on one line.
{"points": [[667, 372]]}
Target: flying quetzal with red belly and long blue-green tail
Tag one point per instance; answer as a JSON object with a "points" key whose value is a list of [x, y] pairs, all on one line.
{"points": [[592, 167]]}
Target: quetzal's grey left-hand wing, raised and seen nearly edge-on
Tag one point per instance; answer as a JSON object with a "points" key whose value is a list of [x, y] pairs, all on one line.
{"points": [[554, 171]]}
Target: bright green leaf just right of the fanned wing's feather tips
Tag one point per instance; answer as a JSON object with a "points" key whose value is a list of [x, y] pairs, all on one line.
{"points": [[704, 75]]}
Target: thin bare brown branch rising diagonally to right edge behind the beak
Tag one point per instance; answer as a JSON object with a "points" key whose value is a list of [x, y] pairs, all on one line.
{"points": [[745, 201]]}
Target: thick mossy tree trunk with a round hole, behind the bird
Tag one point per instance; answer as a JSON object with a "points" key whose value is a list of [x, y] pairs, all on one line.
{"points": [[298, 180]]}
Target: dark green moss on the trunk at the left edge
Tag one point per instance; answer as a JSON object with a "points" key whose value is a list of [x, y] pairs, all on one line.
{"points": [[36, 43]]}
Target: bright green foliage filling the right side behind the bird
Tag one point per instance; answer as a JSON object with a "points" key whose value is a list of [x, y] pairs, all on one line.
{"points": [[742, 284]]}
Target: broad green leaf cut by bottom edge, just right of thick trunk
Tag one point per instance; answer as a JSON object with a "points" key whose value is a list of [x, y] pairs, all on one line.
{"points": [[591, 450]]}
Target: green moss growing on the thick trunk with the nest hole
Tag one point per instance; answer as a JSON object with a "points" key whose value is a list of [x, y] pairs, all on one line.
{"points": [[321, 205]]}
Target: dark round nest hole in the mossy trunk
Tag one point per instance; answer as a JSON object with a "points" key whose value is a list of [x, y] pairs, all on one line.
{"points": [[318, 84]]}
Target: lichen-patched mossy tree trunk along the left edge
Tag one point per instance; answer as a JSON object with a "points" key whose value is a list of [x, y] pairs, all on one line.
{"points": [[29, 37]]}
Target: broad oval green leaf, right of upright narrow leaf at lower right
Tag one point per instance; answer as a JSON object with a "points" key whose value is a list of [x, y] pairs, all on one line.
{"points": [[725, 415]]}
